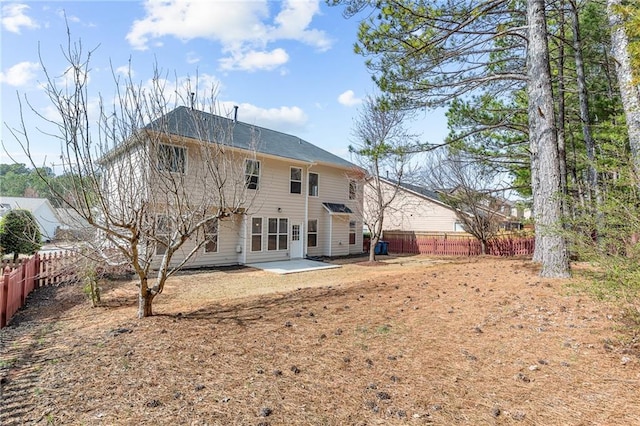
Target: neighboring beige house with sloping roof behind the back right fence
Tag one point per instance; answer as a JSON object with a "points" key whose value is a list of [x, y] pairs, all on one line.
{"points": [[419, 209]]}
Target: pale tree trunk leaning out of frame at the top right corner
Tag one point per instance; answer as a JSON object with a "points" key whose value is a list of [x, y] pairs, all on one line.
{"points": [[628, 91]]}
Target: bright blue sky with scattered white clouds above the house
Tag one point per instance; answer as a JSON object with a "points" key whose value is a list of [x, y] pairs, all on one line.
{"points": [[289, 65]]}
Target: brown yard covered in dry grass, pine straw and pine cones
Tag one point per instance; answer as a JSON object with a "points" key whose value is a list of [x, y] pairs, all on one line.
{"points": [[414, 341]]}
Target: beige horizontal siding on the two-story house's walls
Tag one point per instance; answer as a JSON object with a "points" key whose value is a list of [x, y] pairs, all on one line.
{"points": [[272, 199]]}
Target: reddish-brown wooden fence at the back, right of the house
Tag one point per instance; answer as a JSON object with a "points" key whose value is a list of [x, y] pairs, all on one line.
{"points": [[443, 245]]}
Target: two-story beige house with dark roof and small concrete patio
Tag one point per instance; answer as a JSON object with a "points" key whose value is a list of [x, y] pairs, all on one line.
{"points": [[303, 202]]}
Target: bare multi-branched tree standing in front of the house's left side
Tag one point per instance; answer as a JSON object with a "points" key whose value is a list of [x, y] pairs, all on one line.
{"points": [[155, 184]]}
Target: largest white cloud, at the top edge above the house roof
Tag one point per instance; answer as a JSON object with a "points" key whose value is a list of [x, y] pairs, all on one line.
{"points": [[244, 30]]}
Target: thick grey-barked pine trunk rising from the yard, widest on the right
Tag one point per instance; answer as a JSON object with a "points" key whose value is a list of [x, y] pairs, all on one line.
{"points": [[543, 141]]}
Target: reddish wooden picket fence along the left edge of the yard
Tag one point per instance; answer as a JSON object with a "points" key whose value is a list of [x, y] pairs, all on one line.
{"points": [[39, 270]]}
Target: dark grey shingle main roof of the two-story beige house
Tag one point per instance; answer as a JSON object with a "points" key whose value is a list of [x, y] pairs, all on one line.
{"points": [[184, 121]]}
